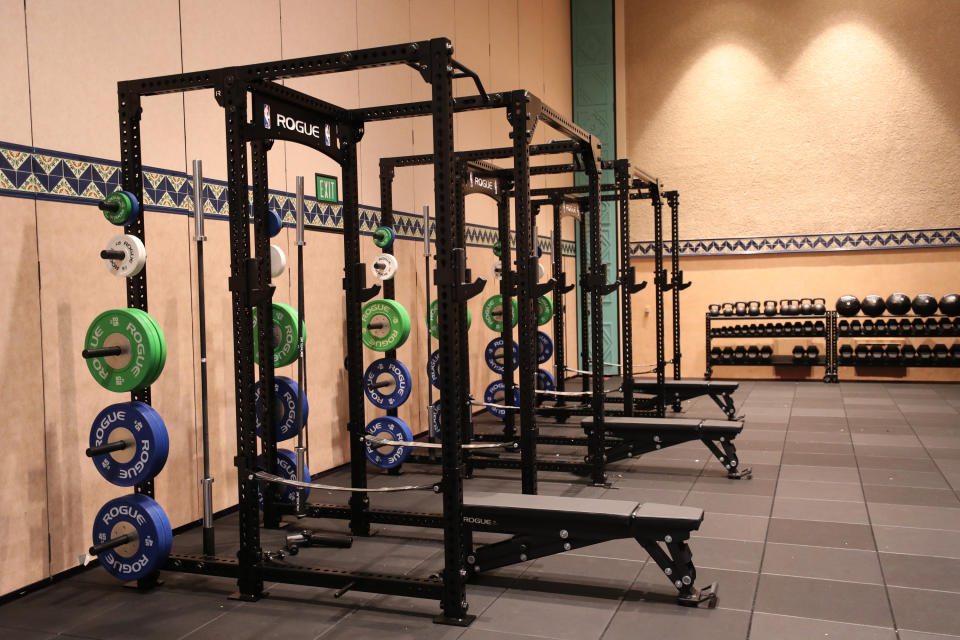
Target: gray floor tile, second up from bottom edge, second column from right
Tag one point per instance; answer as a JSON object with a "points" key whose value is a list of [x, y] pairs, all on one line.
{"points": [[824, 600]]}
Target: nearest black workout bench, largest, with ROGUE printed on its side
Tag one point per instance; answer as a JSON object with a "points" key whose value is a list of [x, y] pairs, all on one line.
{"points": [[546, 525]]}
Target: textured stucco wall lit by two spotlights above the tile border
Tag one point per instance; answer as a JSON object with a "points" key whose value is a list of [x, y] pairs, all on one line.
{"points": [[797, 116]]}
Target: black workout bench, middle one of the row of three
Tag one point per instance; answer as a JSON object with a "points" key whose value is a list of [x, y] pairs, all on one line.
{"points": [[634, 436]]}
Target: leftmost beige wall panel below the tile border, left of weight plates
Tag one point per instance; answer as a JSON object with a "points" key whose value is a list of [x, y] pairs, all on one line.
{"points": [[23, 476]]}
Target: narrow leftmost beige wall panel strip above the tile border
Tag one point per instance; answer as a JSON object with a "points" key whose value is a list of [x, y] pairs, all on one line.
{"points": [[15, 98]]}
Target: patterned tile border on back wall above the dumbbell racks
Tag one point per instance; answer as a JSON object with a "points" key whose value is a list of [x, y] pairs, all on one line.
{"points": [[855, 241]]}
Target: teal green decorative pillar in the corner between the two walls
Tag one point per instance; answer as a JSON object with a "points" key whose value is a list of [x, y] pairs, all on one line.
{"points": [[594, 109]]}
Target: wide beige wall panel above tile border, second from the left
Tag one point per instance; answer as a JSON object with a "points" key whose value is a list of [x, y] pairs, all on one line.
{"points": [[74, 69]]}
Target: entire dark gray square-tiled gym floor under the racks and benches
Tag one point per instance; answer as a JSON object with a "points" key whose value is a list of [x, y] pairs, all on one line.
{"points": [[850, 529]]}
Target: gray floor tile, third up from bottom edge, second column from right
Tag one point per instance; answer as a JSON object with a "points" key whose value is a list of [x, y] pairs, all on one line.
{"points": [[855, 565]]}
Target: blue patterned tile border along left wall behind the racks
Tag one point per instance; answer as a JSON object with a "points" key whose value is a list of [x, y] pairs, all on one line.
{"points": [[29, 172]]}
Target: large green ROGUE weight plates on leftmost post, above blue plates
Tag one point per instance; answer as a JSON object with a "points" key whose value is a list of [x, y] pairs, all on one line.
{"points": [[132, 369]]}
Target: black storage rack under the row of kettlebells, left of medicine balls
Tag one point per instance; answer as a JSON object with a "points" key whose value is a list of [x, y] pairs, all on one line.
{"points": [[826, 359]]}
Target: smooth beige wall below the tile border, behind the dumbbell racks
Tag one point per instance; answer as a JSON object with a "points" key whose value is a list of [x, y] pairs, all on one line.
{"points": [[829, 275]]}
